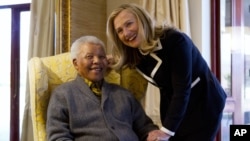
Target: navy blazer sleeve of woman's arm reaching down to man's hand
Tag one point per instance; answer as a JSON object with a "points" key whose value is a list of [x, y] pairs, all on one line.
{"points": [[179, 48]]}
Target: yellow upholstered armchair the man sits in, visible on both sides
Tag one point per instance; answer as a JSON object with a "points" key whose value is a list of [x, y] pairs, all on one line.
{"points": [[48, 72]]}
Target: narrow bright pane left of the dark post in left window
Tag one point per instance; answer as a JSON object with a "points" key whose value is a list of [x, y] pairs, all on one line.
{"points": [[5, 26]]}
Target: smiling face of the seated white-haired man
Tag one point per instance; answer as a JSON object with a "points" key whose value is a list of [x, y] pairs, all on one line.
{"points": [[91, 62]]}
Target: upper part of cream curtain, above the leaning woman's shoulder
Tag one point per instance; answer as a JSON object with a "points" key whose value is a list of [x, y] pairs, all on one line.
{"points": [[175, 12]]}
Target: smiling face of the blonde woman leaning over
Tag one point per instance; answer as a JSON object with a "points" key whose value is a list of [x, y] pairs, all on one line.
{"points": [[127, 29]]}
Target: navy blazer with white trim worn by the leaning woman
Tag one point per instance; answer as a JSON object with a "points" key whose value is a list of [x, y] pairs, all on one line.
{"points": [[191, 98]]}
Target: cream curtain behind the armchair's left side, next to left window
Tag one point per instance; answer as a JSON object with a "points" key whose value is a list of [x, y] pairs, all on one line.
{"points": [[41, 44]]}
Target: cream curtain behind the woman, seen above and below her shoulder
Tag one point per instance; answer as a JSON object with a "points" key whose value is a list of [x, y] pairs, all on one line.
{"points": [[174, 12]]}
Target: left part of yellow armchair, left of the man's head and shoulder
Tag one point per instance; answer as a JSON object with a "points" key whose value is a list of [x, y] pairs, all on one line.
{"points": [[44, 75]]}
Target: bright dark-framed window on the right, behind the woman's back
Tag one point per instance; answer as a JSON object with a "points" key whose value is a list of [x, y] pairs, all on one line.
{"points": [[231, 48]]}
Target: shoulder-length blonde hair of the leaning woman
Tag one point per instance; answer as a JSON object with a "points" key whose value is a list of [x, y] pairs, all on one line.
{"points": [[149, 32]]}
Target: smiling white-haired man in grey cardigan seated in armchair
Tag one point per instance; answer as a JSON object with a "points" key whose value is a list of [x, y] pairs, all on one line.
{"points": [[106, 112]]}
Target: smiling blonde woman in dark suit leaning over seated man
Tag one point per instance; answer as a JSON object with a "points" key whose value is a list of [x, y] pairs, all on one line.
{"points": [[191, 98]]}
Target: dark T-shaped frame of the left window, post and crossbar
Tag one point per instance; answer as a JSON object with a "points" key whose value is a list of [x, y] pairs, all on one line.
{"points": [[15, 67]]}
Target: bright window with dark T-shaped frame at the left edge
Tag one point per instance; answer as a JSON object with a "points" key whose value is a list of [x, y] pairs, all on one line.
{"points": [[13, 76]]}
